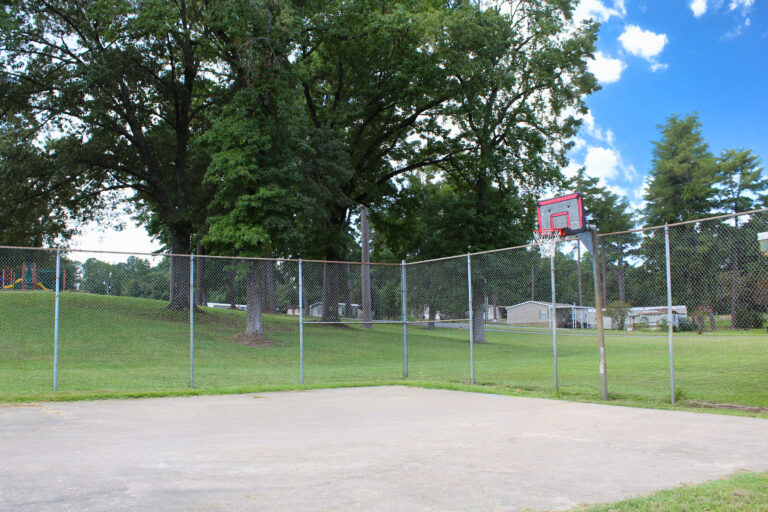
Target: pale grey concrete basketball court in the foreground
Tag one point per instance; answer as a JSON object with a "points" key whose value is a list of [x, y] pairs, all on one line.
{"points": [[385, 448]]}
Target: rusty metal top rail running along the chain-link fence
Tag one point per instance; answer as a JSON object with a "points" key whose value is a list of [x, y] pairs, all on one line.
{"points": [[250, 258]]}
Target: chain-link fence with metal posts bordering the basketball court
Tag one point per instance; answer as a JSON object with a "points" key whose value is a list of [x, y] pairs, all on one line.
{"points": [[684, 317]]}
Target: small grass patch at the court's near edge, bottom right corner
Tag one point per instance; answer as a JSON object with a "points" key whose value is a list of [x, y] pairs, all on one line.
{"points": [[743, 492]]}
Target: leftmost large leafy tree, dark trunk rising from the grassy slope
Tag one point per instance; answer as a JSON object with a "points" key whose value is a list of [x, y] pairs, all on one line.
{"points": [[120, 91]]}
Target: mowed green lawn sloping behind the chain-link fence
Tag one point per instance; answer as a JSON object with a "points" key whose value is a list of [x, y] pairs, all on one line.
{"points": [[129, 345]]}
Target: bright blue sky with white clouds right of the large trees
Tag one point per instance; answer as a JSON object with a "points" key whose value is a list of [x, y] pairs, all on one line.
{"points": [[657, 58]]}
